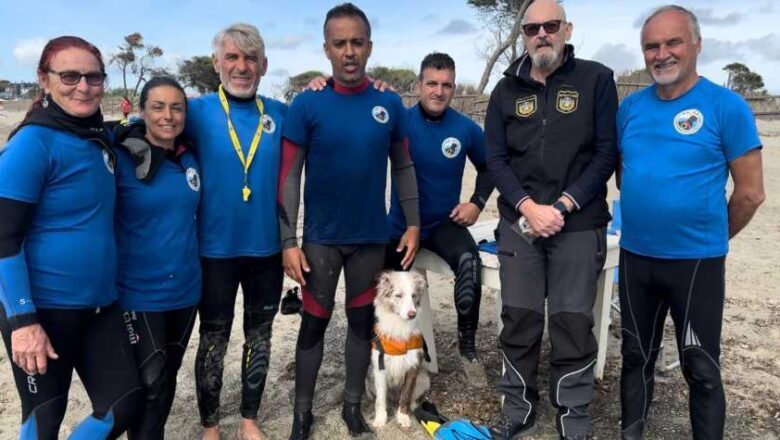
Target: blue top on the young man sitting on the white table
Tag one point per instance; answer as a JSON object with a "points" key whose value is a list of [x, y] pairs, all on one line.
{"points": [[439, 150]]}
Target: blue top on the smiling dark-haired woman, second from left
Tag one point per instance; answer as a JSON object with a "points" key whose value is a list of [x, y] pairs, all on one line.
{"points": [[156, 234]]}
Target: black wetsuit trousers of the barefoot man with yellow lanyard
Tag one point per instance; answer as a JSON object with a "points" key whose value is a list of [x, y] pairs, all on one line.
{"points": [[261, 282]]}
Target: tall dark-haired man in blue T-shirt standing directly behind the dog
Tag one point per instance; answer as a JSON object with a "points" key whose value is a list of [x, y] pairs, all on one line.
{"points": [[344, 135]]}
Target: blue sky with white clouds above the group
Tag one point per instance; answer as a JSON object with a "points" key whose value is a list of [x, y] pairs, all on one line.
{"points": [[404, 31]]}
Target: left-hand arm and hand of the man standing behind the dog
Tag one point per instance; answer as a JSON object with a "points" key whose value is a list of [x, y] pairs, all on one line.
{"points": [[288, 198]]}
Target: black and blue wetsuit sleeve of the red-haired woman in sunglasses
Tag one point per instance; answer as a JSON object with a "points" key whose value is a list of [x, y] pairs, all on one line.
{"points": [[15, 293]]}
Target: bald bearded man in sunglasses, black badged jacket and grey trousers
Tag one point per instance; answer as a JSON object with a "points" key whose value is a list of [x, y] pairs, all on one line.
{"points": [[550, 141]]}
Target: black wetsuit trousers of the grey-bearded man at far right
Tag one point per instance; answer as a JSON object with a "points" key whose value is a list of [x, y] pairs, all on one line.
{"points": [[693, 292]]}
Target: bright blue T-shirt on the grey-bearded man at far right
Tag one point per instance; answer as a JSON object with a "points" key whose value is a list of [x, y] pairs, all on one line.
{"points": [[675, 164]]}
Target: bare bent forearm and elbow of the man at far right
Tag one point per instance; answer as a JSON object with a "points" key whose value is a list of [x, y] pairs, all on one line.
{"points": [[747, 173]]}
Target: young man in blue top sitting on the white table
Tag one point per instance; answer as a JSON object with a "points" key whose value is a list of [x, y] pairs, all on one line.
{"points": [[440, 140]]}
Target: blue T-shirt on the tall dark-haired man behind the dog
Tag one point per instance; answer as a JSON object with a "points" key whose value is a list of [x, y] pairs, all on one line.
{"points": [[347, 137]]}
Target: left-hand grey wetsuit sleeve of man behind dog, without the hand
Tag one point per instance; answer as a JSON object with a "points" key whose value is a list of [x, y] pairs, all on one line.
{"points": [[289, 191]]}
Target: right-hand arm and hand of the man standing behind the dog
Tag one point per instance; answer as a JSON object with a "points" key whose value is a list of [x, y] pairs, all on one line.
{"points": [[402, 173]]}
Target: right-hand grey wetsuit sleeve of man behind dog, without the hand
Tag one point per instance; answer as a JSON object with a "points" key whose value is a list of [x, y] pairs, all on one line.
{"points": [[405, 181]]}
